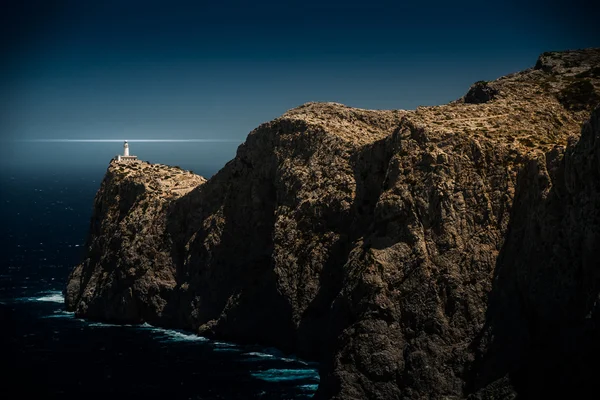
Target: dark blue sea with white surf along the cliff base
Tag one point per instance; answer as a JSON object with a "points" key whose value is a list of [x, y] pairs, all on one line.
{"points": [[48, 353]]}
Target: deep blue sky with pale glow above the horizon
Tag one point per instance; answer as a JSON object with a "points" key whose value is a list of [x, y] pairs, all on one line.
{"points": [[122, 69]]}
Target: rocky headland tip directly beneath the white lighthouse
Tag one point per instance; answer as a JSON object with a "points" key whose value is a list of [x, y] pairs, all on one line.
{"points": [[127, 274]]}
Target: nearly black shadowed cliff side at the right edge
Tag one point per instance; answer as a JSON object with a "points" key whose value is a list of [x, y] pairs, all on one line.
{"points": [[543, 319]]}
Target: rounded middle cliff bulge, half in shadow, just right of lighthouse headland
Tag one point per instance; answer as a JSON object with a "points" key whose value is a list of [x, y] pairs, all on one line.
{"points": [[261, 252]]}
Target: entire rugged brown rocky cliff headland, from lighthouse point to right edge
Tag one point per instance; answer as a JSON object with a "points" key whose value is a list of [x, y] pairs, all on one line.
{"points": [[444, 252]]}
